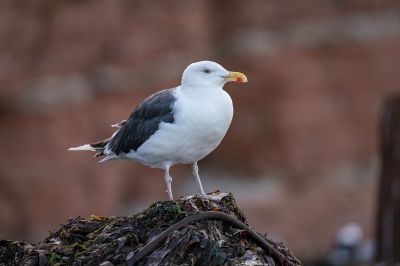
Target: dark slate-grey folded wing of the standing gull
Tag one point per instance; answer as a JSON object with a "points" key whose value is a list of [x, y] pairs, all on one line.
{"points": [[144, 122]]}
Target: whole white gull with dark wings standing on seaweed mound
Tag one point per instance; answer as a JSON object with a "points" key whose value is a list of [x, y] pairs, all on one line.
{"points": [[181, 125]]}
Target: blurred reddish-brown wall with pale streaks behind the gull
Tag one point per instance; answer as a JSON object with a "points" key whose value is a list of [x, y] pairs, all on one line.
{"points": [[302, 153]]}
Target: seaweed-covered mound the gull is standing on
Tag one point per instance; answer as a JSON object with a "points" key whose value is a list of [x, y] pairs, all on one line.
{"points": [[208, 230]]}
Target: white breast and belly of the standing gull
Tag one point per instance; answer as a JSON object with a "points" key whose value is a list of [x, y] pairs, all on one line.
{"points": [[200, 125]]}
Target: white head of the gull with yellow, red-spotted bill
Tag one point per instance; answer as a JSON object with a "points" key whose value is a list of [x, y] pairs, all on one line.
{"points": [[209, 74]]}
